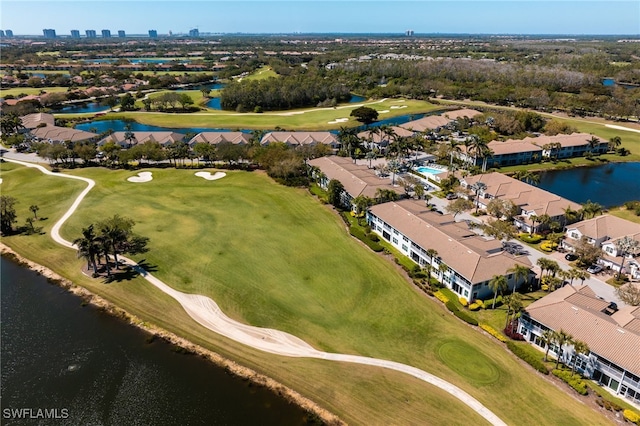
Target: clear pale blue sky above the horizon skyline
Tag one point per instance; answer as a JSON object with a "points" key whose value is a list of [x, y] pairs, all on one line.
{"points": [[356, 16]]}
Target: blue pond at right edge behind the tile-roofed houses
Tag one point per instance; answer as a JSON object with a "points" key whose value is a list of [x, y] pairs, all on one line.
{"points": [[609, 184]]}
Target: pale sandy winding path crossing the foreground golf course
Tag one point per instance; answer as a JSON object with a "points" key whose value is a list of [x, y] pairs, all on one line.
{"points": [[207, 313]]}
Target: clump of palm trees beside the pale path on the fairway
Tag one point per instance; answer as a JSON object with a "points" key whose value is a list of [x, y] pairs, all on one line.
{"points": [[114, 237]]}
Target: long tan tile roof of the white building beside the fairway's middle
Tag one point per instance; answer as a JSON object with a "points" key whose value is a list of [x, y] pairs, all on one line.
{"points": [[472, 256]]}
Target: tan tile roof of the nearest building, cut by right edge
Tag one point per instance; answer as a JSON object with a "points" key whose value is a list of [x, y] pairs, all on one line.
{"points": [[576, 311]]}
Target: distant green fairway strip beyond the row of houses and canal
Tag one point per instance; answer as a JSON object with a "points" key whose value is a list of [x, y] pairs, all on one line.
{"points": [[303, 119]]}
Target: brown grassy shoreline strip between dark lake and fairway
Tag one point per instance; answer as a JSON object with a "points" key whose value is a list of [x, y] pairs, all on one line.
{"points": [[228, 365]]}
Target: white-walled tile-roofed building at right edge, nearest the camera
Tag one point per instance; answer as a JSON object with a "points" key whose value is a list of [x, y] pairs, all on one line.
{"points": [[613, 336]]}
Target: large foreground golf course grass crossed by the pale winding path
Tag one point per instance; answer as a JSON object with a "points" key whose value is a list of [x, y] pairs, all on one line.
{"points": [[276, 257]]}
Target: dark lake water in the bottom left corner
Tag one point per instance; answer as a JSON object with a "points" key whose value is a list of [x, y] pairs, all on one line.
{"points": [[57, 354]]}
